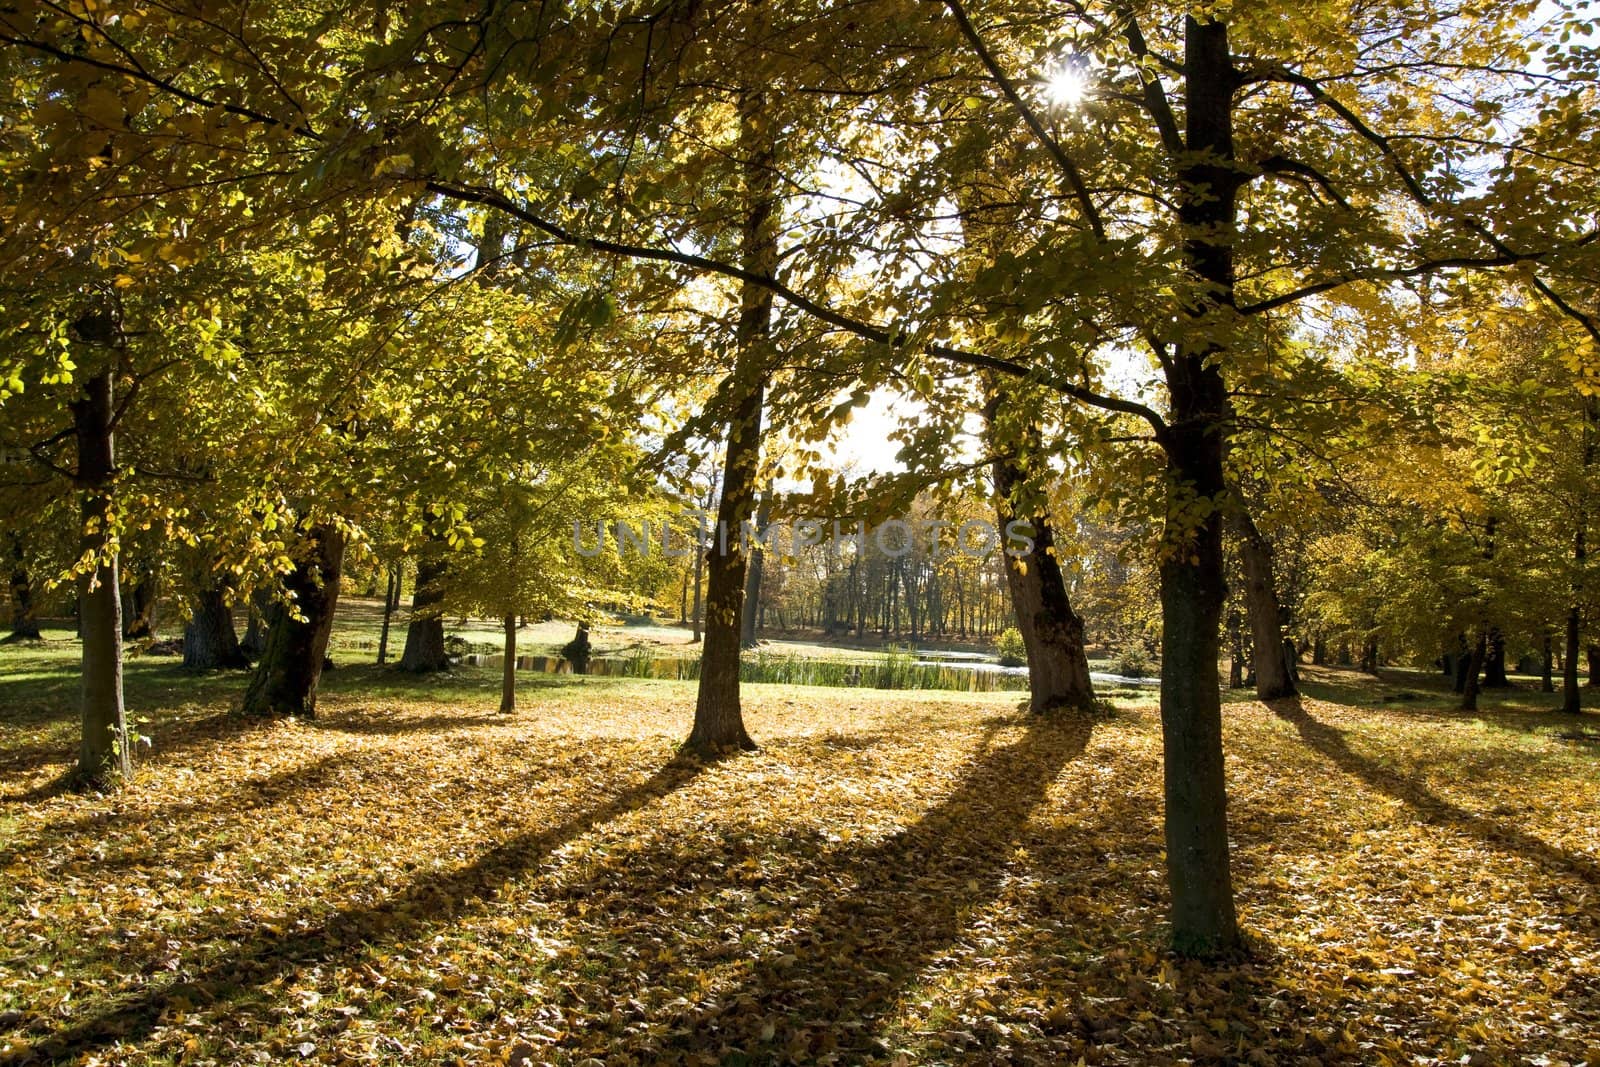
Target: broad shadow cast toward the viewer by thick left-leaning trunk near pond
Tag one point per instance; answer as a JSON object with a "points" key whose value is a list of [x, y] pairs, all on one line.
{"points": [[910, 905]]}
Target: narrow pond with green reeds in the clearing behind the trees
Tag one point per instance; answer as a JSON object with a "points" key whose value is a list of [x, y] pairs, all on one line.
{"points": [[966, 673]]}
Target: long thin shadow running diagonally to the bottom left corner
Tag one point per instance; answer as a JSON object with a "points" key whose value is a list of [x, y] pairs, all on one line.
{"points": [[422, 906]]}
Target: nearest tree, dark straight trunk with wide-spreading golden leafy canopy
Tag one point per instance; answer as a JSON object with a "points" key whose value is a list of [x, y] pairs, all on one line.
{"points": [[1228, 169]]}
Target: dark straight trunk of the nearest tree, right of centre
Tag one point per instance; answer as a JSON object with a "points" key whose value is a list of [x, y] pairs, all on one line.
{"points": [[1193, 580]]}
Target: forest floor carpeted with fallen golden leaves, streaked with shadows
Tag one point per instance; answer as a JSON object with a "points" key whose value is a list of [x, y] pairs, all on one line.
{"points": [[895, 877]]}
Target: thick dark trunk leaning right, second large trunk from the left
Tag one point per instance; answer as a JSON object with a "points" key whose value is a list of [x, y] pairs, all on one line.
{"points": [[286, 682]]}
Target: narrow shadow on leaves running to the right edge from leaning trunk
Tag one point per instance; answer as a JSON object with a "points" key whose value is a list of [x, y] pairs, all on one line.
{"points": [[1428, 805]]}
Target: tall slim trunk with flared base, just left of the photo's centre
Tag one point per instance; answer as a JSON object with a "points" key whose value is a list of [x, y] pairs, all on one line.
{"points": [[719, 721]]}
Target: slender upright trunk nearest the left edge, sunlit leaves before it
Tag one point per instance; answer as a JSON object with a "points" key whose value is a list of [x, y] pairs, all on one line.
{"points": [[103, 754]]}
